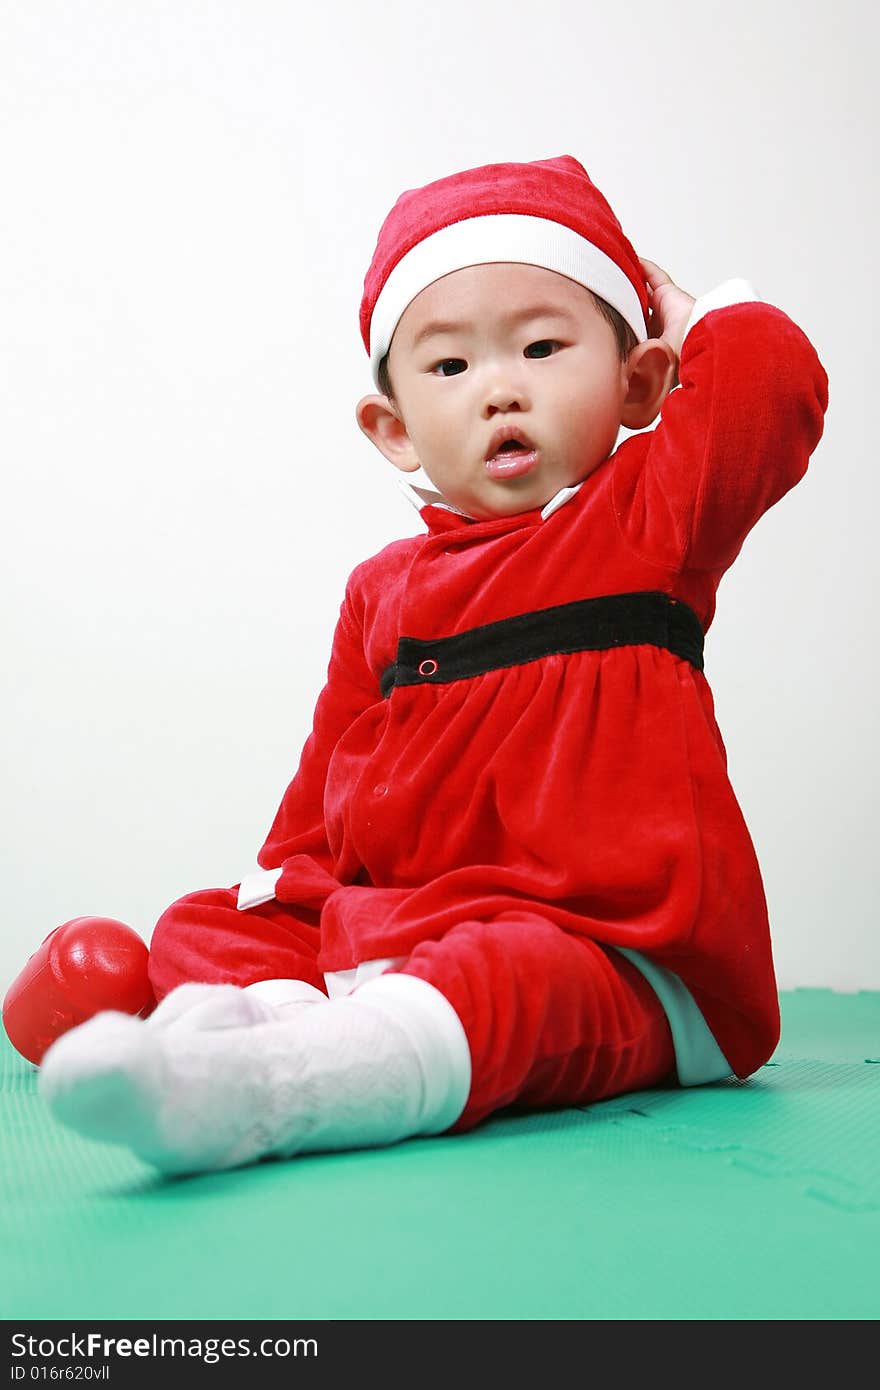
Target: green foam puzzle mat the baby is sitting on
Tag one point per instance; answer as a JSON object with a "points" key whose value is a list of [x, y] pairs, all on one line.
{"points": [[746, 1200]]}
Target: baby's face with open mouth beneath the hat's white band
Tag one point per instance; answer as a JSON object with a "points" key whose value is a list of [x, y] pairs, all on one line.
{"points": [[525, 352]]}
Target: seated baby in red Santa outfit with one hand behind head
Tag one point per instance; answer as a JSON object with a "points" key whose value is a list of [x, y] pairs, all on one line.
{"points": [[511, 871]]}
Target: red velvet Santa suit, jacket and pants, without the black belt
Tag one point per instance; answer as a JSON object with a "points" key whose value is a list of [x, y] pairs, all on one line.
{"points": [[510, 835]]}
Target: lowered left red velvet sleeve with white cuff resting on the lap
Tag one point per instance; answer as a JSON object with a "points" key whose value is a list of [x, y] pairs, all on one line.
{"points": [[297, 849]]}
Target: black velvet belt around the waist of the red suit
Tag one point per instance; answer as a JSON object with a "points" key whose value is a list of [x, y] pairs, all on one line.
{"points": [[586, 626]]}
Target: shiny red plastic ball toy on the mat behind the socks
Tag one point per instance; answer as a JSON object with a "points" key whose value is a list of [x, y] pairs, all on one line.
{"points": [[83, 967]]}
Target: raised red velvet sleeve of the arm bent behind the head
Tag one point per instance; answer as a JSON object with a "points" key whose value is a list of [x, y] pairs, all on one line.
{"points": [[733, 437]]}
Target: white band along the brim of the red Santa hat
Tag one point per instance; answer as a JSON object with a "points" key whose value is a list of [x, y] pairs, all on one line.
{"points": [[500, 237]]}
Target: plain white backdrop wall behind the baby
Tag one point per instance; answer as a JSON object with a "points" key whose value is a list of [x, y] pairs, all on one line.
{"points": [[191, 197]]}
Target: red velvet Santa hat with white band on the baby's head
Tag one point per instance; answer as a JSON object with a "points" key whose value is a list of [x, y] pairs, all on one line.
{"points": [[546, 213]]}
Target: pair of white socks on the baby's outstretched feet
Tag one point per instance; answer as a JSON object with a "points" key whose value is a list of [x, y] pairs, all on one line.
{"points": [[215, 1081]]}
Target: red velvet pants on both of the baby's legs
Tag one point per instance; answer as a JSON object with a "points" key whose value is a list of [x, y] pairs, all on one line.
{"points": [[551, 1020]]}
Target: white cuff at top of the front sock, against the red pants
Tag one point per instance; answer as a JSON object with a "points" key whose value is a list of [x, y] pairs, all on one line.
{"points": [[439, 1040]]}
